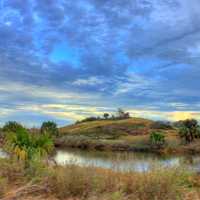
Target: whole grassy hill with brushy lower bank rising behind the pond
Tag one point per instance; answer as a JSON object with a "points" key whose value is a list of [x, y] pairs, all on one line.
{"points": [[128, 134]]}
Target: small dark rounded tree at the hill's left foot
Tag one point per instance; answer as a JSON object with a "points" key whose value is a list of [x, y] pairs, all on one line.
{"points": [[50, 128]]}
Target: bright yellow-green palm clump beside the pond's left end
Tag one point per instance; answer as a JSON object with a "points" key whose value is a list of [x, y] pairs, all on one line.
{"points": [[26, 146]]}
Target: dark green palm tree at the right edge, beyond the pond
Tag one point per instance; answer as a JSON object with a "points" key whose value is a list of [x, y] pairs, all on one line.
{"points": [[189, 130]]}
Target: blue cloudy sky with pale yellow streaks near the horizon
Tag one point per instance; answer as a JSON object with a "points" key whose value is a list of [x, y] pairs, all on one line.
{"points": [[65, 60]]}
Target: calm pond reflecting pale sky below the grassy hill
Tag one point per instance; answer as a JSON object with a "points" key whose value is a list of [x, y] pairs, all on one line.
{"points": [[124, 161]]}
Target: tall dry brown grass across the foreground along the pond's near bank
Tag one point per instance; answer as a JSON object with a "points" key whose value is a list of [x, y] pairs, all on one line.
{"points": [[96, 183]]}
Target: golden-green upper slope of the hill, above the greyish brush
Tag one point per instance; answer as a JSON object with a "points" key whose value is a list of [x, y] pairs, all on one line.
{"points": [[132, 126]]}
